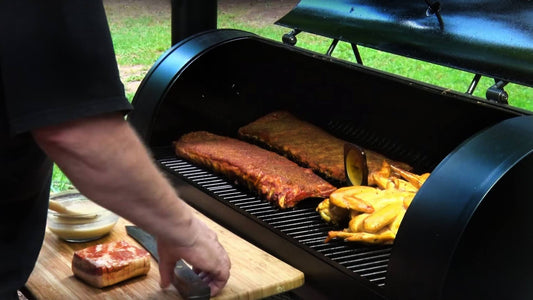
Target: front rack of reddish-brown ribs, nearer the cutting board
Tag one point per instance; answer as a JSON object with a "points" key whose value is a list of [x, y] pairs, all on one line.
{"points": [[278, 179]]}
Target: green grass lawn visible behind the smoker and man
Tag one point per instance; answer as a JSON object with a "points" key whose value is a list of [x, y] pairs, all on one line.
{"points": [[141, 40]]}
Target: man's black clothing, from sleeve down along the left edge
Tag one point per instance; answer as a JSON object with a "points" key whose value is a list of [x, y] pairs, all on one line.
{"points": [[56, 64]]}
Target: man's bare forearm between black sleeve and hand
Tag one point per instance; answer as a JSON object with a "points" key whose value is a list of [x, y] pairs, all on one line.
{"points": [[107, 162]]}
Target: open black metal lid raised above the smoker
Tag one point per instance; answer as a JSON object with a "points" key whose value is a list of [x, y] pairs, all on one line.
{"points": [[487, 37]]}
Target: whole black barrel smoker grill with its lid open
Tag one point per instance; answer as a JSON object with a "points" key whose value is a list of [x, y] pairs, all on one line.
{"points": [[465, 235]]}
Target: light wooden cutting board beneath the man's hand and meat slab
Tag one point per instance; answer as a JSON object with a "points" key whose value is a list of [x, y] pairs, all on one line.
{"points": [[255, 274]]}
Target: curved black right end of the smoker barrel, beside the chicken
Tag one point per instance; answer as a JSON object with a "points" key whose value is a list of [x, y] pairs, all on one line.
{"points": [[443, 209]]}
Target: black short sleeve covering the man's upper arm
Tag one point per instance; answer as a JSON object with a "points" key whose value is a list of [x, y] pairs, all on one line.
{"points": [[57, 63]]}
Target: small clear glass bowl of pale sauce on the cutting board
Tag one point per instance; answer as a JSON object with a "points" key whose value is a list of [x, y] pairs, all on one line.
{"points": [[76, 229]]}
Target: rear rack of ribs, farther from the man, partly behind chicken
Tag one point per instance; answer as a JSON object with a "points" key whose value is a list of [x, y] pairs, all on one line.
{"points": [[307, 144]]}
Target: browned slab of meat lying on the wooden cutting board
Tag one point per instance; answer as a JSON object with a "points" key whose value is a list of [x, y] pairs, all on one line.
{"points": [[106, 264]]}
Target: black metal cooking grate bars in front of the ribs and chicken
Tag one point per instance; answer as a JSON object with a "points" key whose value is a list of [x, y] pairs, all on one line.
{"points": [[302, 224]]}
